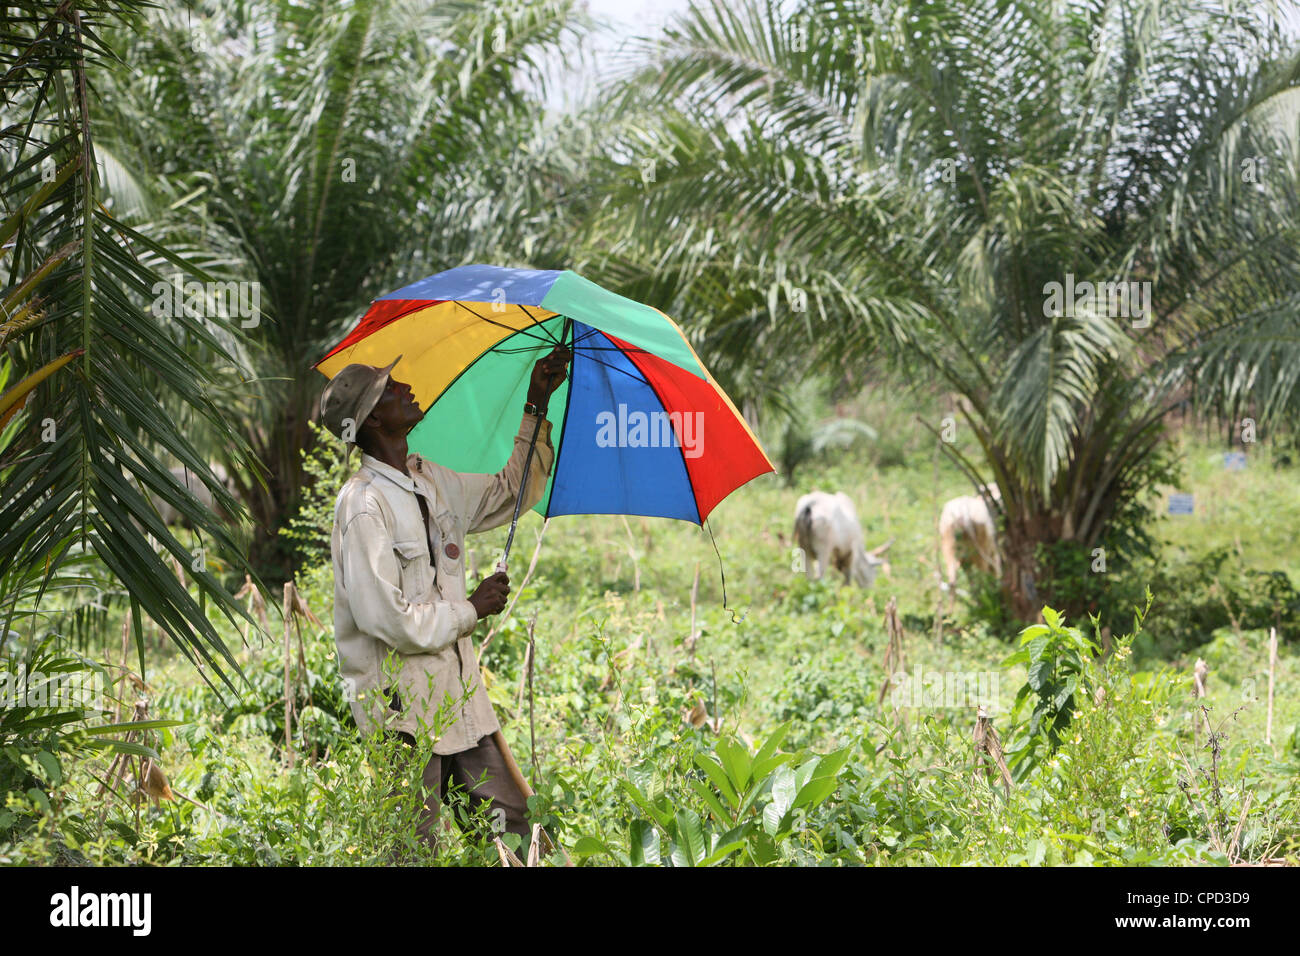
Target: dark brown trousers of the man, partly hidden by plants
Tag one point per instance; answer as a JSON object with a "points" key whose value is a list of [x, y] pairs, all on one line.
{"points": [[483, 775]]}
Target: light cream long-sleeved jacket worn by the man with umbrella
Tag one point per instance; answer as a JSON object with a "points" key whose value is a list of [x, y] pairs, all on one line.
{"points": [[388, 598]]}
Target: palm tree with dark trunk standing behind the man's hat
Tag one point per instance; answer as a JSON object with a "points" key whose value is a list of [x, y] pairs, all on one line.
{"points": [[341, 150]]}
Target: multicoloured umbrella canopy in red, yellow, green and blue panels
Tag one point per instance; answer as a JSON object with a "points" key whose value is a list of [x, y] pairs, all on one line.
{"points": [[640, 427]]}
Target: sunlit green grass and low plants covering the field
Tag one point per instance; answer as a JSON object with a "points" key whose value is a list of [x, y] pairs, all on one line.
{"points": [[613, 684]]}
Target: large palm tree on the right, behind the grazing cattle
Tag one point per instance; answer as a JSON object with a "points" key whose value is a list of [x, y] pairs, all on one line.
{"points": [[947, 171]]}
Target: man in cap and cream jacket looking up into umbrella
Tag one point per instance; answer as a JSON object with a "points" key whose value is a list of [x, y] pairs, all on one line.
{"points": [[402, 620]]}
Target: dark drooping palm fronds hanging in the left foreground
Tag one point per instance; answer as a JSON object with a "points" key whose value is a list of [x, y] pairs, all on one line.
{"points": [[85, 425]]}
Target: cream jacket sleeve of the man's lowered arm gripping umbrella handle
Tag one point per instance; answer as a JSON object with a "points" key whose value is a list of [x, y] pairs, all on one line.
{"points": [[374, 581]]}
